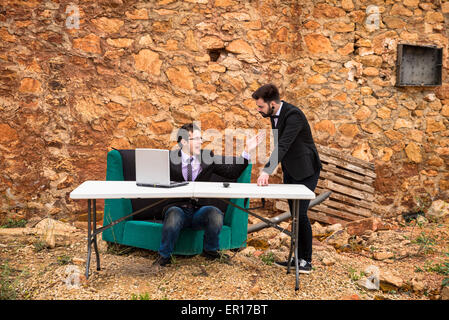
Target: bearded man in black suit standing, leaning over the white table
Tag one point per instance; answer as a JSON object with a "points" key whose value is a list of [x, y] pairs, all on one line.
{"points": [[297, 153]]}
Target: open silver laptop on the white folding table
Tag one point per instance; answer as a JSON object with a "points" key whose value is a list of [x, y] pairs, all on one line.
{"points": [[153, 169]]}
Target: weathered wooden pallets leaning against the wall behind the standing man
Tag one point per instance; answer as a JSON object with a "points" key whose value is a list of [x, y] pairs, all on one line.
{"points": [[351, 181]]}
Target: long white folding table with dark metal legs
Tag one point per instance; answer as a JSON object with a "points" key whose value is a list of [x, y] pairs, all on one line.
{"points": [[92, 190]]}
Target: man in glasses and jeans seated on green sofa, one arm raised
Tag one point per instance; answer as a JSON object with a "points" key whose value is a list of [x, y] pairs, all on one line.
{"points": [[191, 163]]}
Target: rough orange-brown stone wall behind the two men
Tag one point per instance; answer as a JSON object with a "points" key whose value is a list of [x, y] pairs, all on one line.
{"points": [[131, 72]]}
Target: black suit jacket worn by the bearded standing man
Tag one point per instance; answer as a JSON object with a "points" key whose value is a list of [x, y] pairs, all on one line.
{"points": [[297, 152]]}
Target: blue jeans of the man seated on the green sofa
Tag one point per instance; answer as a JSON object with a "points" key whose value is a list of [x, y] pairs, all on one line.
{"points": [[207, 218]]}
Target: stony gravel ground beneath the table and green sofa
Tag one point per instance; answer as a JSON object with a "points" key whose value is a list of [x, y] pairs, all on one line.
{"points": [[58, 273]]}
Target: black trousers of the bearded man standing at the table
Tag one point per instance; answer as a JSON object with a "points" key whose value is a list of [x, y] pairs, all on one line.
{"points": [[304, 229]]}
